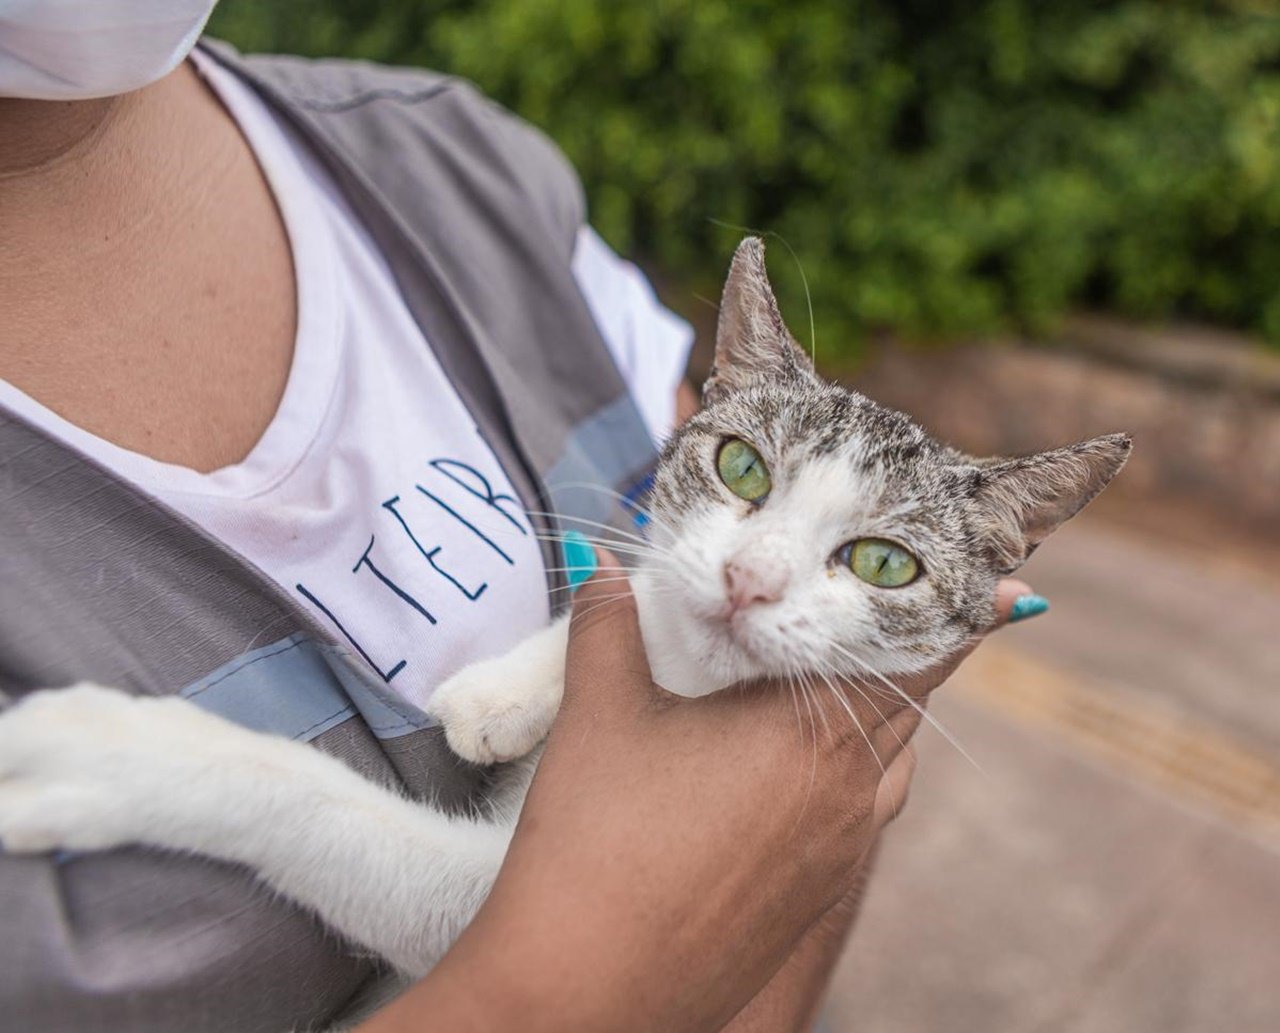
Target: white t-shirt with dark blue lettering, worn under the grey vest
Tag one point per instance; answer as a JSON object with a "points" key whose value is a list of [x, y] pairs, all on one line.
{"points": [[372, 497]]}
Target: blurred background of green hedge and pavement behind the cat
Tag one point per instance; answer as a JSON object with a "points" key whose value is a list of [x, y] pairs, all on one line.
{"points": [[1023, 223]]}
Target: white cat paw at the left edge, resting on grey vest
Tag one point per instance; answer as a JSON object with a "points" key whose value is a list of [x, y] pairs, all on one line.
{"points": [[84, 769]]}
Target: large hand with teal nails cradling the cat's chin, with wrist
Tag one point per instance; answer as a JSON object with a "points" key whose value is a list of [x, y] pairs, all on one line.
{"points": [[675, 851]]}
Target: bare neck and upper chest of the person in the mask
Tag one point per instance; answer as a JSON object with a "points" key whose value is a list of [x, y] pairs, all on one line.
{"points": [[138, 240]]}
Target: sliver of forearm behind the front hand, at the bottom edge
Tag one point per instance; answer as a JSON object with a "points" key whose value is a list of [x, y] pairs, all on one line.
{"points": [[793, 999]]}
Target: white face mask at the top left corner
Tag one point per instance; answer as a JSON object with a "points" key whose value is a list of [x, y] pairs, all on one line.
{"points": [[80, 49]]}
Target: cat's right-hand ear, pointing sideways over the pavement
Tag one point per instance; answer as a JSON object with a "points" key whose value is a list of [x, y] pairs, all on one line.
{"points": [[1022, 502]]}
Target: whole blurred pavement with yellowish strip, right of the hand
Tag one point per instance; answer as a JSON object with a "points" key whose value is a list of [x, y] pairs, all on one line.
{"points": [[1116, 866]]}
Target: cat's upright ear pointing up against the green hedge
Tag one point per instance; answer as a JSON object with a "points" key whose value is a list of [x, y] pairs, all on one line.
{"points": [[752, 341]]}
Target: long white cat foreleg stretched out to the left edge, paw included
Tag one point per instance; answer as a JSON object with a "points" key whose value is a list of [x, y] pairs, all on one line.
{"points": [[90, 769]]}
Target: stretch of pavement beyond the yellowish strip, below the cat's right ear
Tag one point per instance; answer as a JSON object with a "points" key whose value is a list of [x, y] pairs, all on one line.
{"points": [[1192, 627]]}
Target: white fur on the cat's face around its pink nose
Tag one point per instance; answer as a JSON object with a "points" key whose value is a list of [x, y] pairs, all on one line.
{"points": [[824, 620]]}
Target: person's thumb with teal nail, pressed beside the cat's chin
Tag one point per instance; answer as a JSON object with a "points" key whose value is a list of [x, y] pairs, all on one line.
{"points": [[606, 650]]}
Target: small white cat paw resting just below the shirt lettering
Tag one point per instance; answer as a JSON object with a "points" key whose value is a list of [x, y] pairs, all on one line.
{"points": [[487, 719]]}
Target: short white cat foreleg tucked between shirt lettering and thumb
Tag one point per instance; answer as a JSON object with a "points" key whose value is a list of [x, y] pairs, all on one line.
{"points": [[501, 709]]}
